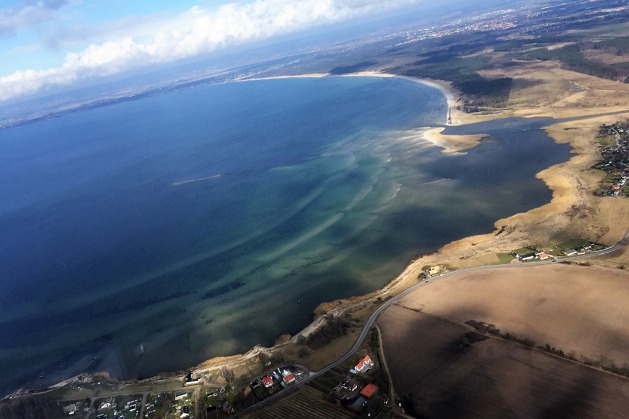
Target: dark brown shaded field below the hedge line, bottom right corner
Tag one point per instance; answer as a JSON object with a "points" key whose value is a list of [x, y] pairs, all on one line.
{"points": [[499, 379]]}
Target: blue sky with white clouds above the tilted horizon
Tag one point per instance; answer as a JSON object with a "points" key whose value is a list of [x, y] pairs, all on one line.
{"points": [[61, 42]]}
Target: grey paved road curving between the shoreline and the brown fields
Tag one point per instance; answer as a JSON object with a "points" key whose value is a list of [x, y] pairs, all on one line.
{"points": [[374, 316]]}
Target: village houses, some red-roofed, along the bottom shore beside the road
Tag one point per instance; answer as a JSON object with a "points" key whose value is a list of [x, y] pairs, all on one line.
{"points": [[352, 391]]}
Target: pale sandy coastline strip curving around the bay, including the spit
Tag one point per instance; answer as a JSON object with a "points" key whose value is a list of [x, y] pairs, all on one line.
{"points": [[566, 191]]}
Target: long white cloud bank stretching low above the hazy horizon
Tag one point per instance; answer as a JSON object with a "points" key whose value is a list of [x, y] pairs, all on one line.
{"points": [[194, 32]]}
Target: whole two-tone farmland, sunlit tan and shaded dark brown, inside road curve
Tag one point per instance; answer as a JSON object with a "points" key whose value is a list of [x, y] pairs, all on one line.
{"points": [[443, 368]]}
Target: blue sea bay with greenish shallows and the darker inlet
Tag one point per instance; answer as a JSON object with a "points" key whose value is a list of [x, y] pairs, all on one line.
{"points": [[151, 234]]}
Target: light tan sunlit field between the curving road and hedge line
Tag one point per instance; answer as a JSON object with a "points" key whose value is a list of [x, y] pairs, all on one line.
{"points": [[580, 309]]}
